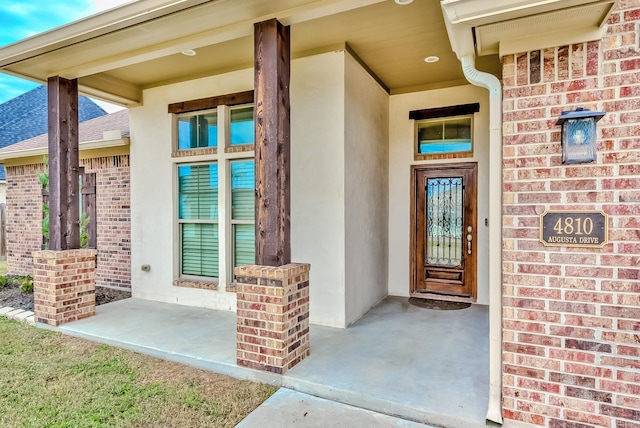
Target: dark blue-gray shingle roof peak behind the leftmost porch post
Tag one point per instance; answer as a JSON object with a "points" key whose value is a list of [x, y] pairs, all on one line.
{"points": [[25, 116]]}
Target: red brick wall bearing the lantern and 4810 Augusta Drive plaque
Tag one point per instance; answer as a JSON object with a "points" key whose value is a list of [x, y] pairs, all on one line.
{"points": [[571, 316]]}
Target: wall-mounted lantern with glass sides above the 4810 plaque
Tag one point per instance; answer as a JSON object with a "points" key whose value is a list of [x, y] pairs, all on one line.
{"points": [[579, 135]]}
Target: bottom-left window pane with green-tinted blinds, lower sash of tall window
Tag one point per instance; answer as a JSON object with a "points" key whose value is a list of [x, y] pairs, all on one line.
{"points": [[199, 249]]}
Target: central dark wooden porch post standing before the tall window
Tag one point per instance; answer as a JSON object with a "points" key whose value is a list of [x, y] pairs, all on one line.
{"points": [[272, 153]]}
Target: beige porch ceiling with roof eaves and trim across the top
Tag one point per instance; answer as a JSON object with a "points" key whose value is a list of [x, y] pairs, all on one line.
{"points": [[120, 52]]}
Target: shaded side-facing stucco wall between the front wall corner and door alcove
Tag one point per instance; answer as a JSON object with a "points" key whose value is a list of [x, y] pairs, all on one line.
{"points": [[366, 198]]}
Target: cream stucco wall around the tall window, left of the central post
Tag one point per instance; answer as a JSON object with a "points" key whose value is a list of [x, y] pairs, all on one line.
{"points": [[153, 191]]}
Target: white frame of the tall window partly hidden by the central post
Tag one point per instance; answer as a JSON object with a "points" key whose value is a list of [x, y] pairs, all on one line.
{"points": [[225, 225]]}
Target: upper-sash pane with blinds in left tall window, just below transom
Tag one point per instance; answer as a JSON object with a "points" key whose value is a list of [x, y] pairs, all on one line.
{"points": [[198, 192]]}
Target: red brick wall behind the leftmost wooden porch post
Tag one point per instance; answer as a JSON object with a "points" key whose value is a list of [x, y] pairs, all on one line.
{"points": [[113, 216]]}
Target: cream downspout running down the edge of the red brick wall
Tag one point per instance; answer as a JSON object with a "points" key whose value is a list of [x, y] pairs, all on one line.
{"points": [[491, 82]]}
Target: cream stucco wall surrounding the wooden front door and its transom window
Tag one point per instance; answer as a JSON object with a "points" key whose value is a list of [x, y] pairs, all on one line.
{"points": [[401, 142]]}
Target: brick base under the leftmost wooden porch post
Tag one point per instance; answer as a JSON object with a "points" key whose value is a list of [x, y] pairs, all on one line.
{"points": [[64, 285]]}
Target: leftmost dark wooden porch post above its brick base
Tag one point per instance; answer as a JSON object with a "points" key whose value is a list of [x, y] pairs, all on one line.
{"points": [[63, 164]]}
